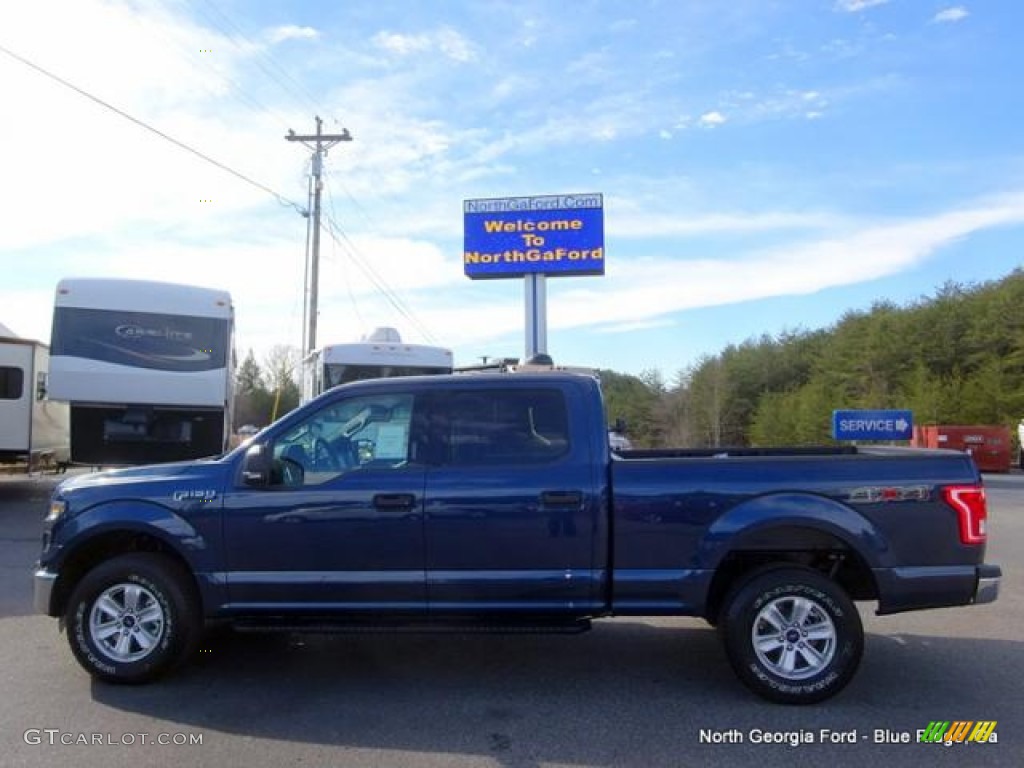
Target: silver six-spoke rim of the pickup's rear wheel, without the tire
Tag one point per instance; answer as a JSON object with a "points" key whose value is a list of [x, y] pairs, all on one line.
{"points": [[794, 638]]}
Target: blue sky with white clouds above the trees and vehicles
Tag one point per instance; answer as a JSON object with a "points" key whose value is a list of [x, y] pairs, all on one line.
{"points": [[765, 166]]}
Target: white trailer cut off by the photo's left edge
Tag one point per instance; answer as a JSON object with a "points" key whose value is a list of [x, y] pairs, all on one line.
{"points": [[34, 430]]}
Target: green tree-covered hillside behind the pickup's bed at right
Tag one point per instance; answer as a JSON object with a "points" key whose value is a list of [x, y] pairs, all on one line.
{"points": [[953, 358]]}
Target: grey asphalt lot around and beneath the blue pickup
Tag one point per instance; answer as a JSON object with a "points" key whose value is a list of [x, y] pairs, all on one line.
{"points": [[631, 693]]}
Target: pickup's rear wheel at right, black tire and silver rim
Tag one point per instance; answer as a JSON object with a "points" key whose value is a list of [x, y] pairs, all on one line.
{"points": [[810, 632]]}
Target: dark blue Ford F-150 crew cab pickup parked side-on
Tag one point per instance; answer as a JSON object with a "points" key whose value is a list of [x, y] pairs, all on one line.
{"points": [[493, 502]]}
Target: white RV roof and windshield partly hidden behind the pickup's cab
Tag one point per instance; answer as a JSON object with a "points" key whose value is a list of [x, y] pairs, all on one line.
{"points": [[379, 355]]}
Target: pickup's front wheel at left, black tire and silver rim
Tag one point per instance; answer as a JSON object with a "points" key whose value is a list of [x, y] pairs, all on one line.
{"points": [[134, 618]]}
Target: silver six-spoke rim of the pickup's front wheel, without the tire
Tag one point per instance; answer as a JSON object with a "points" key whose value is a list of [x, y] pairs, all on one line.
{"points": [[127, 623]]}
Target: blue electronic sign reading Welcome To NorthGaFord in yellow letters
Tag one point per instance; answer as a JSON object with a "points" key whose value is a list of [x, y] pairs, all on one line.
{"points": [[557, 235]]}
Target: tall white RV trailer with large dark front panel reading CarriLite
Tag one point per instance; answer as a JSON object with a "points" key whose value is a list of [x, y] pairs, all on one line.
{"points": [[147, 368]]}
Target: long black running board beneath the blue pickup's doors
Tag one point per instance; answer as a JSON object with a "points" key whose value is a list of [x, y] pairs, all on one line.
{"points": [[342, 627]]}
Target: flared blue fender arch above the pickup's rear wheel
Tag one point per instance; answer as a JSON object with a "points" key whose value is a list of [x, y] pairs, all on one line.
{"points": [[761, 523]]}
